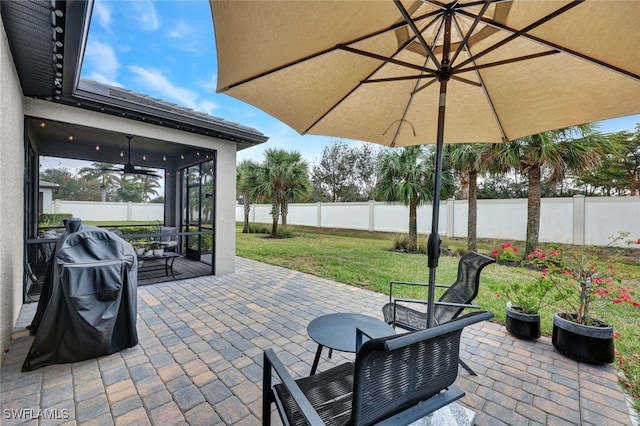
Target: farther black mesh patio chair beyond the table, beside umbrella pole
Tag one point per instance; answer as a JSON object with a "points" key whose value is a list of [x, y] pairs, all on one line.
{"points": [[455, 299]]}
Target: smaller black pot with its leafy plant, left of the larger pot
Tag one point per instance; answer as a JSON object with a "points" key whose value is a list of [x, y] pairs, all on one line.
{"points": [[525, 298]]}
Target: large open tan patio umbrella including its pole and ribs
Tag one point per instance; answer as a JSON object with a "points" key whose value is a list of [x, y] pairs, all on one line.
{"points": [[402, 73]]}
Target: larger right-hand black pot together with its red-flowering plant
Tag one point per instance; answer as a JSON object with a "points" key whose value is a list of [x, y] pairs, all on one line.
{"points": [[588, 287]]}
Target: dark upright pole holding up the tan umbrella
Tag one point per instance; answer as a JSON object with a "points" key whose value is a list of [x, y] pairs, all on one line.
{"points": [[433, 244]]}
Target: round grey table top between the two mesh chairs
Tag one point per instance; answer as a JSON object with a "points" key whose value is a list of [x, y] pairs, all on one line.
{"points": [[338, 331]]}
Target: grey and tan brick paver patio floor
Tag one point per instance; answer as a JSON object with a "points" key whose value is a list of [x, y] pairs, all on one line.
{"points": [[199, 360]]}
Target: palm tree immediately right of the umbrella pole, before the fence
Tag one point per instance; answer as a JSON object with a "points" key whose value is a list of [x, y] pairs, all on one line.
{"points": [[465, 161]]}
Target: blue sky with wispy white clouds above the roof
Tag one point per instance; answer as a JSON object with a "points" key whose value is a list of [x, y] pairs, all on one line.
{"points": [[166, 49]]}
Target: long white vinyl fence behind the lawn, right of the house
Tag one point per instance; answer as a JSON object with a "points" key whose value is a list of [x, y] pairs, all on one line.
{"points": [[577, 220]]}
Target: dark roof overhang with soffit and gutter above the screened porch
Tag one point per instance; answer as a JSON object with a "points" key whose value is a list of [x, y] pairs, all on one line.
{"points": [[47, 41]]}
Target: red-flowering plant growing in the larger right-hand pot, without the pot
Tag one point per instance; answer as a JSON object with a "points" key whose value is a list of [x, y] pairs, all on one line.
{"points": [[587, 284]]}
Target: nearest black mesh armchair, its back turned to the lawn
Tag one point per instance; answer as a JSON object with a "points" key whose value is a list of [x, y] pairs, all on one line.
{"points": [[395, 380]]}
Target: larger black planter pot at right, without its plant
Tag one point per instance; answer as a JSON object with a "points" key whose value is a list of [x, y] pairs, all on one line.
{"points": [[592, 345]]}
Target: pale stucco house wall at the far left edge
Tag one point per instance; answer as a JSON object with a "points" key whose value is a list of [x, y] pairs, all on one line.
{"points": [[11, 192]]}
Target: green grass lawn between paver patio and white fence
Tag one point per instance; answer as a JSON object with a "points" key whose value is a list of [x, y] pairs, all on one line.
{"points": [[363, 259]]}
